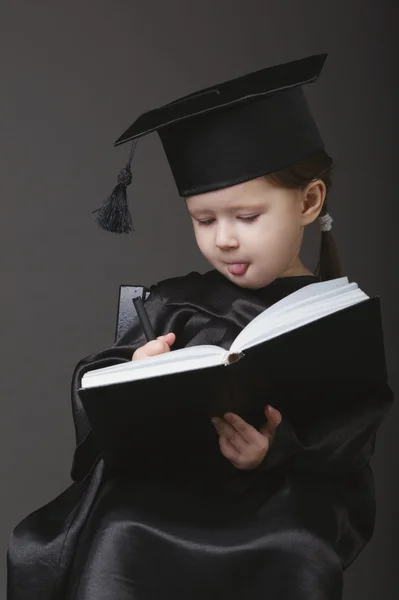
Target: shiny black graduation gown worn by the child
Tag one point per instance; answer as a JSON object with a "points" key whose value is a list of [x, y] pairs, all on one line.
{"points": [[287, 529]]}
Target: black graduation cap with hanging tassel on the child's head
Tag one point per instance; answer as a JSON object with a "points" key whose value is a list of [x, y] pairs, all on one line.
{"points": [[226, 134]]}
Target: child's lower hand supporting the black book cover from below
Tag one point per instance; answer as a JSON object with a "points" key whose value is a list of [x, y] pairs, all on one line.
{"points": [[243, 445]]}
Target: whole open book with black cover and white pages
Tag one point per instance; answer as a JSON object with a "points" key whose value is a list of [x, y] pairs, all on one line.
{"points": [[308, 354]]}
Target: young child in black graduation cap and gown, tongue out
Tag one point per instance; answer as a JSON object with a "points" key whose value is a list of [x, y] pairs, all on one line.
{"points": [[284, 512]]}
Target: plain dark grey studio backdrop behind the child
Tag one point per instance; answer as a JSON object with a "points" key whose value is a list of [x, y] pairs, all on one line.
{"points": [[73, 76]]}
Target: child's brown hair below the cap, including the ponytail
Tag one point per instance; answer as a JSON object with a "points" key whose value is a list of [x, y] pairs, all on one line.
{"points": [[318, 166]]}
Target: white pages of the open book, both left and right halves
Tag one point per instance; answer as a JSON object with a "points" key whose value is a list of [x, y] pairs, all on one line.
{"points": [[303, 306]]}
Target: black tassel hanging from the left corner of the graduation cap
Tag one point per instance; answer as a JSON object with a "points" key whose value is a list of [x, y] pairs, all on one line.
{"points": [[114, 214]]}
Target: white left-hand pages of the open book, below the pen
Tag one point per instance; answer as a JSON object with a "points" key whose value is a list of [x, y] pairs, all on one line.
{"points": [[184, 359]]}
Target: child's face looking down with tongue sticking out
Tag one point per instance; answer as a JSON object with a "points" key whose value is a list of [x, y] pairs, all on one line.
{"points": [[257, 223]]}
